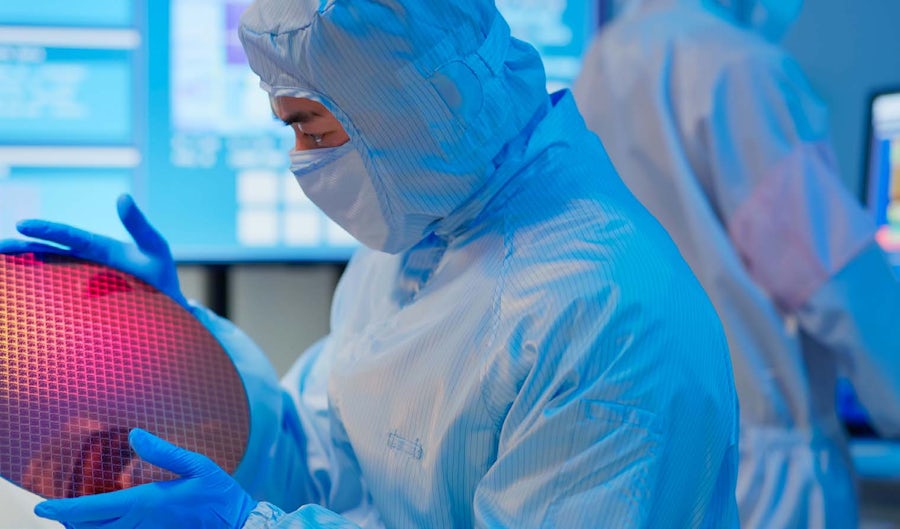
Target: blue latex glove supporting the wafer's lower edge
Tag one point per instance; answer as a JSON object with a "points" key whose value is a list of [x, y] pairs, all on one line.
{"points": [[204, 497]]}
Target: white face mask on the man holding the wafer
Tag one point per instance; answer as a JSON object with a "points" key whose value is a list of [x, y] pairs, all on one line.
{"points": [[336, 180]]}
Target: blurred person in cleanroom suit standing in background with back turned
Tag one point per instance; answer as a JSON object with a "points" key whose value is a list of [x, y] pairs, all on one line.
{"points": [[718, 133]]}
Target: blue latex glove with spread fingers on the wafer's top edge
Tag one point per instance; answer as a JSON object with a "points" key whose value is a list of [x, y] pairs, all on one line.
{"points": [[149, 259]]}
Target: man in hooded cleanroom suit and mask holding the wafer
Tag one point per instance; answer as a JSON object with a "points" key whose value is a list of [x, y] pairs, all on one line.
{"points": [[518, 343]]}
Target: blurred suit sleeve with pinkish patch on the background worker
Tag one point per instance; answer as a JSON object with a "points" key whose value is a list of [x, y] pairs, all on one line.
{"points": [[802, 236]]}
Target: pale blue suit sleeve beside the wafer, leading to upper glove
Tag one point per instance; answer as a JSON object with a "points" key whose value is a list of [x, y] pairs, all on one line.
{"points": [[296, 455]]}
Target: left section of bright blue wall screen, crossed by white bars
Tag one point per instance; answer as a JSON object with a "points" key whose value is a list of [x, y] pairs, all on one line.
{"points": [[72, 110]]}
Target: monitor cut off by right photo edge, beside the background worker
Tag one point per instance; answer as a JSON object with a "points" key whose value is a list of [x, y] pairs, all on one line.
{"points": [[881, 183]]}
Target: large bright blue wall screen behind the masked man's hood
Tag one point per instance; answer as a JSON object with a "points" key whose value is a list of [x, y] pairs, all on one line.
{"points": [[154, 97]]}
